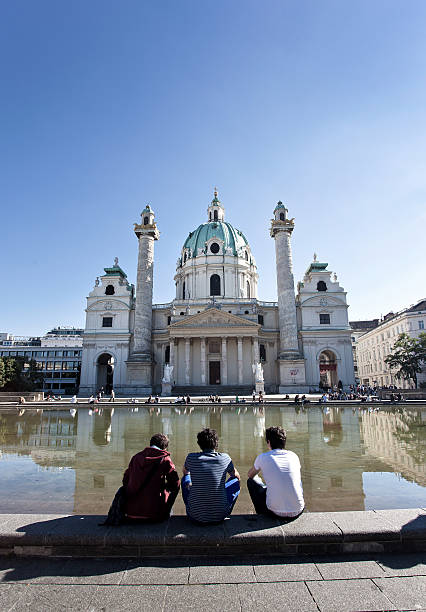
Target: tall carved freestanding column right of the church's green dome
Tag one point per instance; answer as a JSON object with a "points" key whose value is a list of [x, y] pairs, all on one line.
{"points": [[281, 230]]}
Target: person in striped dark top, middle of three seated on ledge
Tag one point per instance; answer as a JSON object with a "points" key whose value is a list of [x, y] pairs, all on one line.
{"points": [[208, 496]]}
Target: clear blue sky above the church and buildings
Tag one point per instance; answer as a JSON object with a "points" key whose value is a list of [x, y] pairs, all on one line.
{"points": [[108, 105]]}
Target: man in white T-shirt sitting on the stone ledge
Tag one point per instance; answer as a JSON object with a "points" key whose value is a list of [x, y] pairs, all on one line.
{"points": [[281, 494]]}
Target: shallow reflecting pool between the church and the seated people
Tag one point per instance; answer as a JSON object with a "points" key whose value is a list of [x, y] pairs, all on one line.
{"points": [[54, 461]]}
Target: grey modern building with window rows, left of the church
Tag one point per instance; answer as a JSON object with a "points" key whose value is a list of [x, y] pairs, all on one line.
{"points": [[58, 356]]}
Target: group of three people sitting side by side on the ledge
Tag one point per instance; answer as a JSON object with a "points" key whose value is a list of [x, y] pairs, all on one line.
{"points": [[210, 482]]}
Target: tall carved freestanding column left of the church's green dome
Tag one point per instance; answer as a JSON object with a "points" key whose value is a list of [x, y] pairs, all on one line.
{"points": [[139, 364]]}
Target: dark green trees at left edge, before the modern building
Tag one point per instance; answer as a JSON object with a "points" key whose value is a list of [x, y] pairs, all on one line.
{"points": [[19, 374]]}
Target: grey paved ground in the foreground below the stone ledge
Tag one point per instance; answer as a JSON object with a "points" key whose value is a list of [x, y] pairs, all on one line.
{"points": [[353, 583]]}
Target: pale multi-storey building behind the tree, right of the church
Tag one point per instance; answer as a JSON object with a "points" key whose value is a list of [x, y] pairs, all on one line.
{"points": [[375, 345]]}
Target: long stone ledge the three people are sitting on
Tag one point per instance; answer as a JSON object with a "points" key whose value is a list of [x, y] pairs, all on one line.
{"points": [[319, 532]]}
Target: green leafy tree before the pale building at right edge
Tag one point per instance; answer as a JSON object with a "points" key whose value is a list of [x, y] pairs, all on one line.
{"points": [[408, 356]]}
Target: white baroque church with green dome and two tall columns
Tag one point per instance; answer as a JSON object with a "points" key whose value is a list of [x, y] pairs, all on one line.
{"points": [[209, 337]]}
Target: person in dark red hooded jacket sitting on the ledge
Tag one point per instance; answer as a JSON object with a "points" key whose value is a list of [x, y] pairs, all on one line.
{"points": [[151, 482]]}
